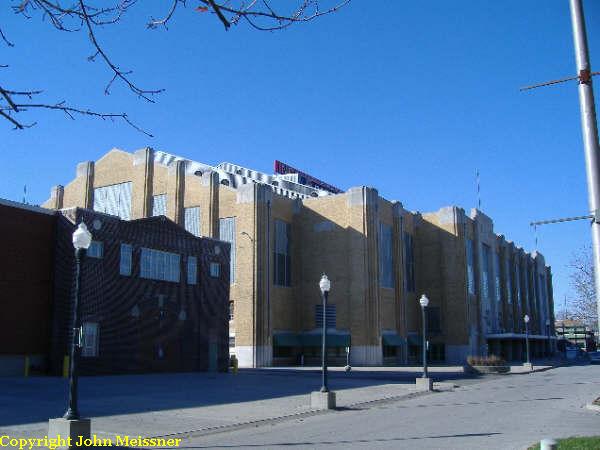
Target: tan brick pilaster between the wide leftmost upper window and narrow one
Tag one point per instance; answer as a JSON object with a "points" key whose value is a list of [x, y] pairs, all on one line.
{"points": [[143, 176]]}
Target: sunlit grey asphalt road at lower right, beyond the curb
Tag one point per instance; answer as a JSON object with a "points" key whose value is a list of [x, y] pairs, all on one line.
{"points": [[507, 412]]}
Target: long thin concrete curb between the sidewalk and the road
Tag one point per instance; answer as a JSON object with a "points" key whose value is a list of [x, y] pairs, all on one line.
{"points": [[272, 420]]}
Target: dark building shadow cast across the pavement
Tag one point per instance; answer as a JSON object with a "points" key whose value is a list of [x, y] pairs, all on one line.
{"points": [[35, 399]]}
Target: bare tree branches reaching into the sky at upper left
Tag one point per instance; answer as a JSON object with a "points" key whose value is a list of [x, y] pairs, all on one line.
{"points": [[89, 15]]}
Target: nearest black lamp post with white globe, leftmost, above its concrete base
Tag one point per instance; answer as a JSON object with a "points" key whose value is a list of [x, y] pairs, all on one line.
{"points": [[82, 239]]}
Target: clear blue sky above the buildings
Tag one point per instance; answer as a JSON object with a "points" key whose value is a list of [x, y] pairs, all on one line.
{"points": [[408, 97]]}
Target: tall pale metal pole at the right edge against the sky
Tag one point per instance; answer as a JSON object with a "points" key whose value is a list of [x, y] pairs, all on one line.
{"points": [[590, 133]]}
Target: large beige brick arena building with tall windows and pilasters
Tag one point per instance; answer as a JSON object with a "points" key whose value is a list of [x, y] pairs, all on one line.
{"points": [[288, 229]]}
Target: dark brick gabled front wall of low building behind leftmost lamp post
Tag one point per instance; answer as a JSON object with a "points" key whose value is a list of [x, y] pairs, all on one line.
{"points": [[179, 326]]}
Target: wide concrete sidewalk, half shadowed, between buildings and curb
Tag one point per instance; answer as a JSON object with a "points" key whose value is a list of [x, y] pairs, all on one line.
{"points": [[201, 403]]}
